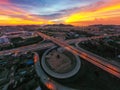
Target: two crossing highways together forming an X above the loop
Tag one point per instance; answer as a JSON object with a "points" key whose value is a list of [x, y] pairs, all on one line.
{"points": [[94, 59]]}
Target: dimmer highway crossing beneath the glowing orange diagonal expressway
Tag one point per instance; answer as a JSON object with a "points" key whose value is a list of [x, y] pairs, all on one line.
{"points": [[39, 46]]}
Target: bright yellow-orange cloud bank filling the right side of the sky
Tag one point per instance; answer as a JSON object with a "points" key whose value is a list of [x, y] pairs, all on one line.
{"points": [[109, 13]]}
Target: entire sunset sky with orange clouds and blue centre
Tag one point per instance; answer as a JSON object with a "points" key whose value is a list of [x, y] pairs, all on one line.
{"points": [[76, 12]]}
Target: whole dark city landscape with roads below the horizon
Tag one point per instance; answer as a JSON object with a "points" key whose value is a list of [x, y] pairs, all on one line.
{"points": [[54, 57]]}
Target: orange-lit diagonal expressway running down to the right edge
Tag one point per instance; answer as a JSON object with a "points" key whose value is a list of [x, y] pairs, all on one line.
{"points": [[94, 59]]}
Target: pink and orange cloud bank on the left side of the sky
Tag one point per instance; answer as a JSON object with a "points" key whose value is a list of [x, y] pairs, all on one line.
{"points": [[13, 15]]}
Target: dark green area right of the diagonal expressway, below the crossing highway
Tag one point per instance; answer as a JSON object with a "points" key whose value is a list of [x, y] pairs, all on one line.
{"points": [[108, 50]]}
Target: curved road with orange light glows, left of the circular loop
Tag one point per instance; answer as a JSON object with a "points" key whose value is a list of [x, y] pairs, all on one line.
{"points": [[47, 81]]}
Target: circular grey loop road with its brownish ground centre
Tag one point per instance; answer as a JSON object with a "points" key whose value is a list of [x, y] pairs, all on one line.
{"points": [[60, 63]]}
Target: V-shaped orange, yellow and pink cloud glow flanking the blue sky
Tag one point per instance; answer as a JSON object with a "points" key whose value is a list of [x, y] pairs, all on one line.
{"points": [[107, 12]]}
